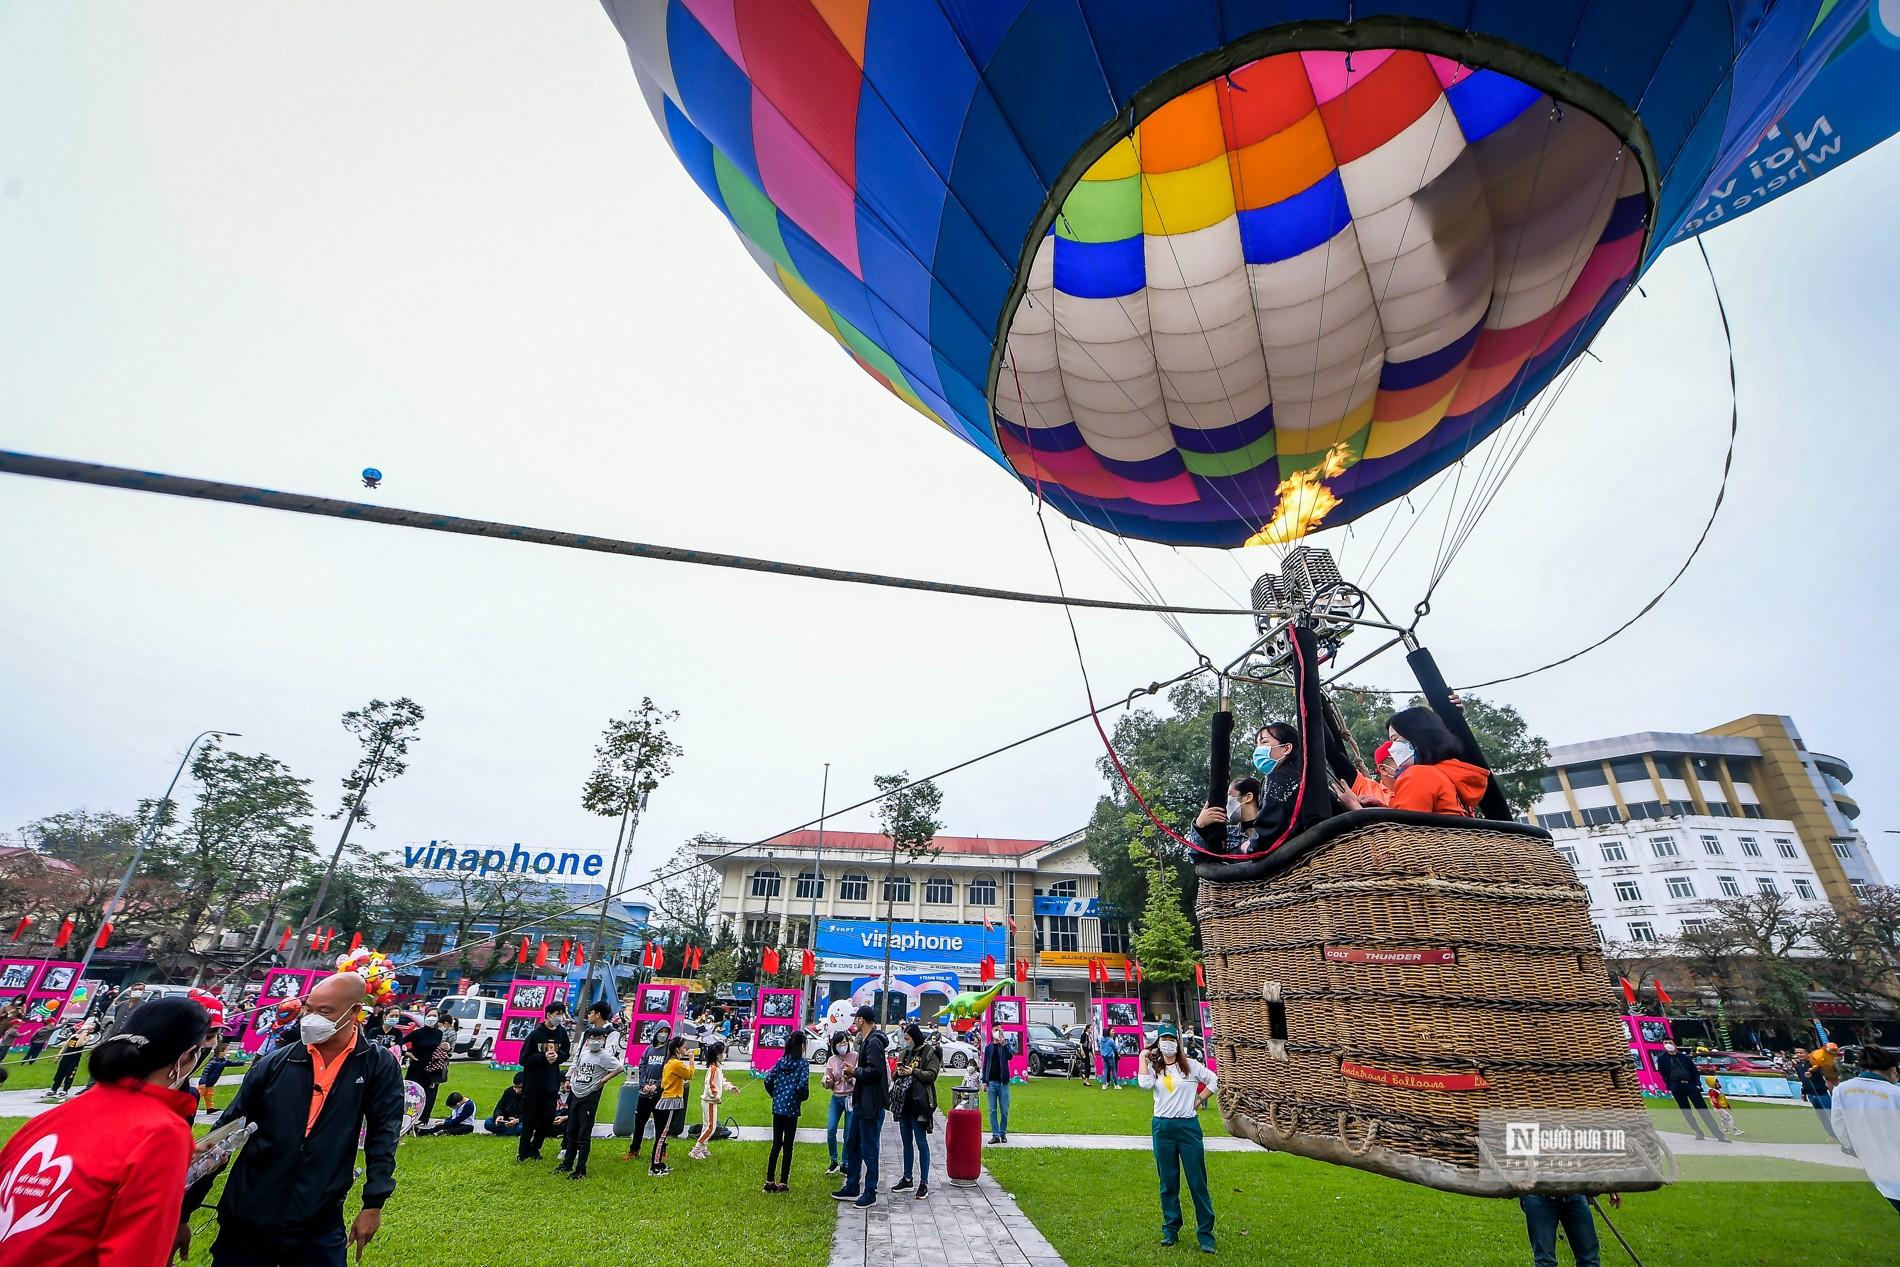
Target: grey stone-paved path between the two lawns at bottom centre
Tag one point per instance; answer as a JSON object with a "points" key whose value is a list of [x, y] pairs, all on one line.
{"points": [[953, 1228]]}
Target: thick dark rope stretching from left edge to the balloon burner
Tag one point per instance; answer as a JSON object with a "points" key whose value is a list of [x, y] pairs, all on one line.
{"points": [[428, 521]]}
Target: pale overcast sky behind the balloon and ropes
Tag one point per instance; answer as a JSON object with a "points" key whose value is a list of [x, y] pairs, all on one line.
{"points": [[282, 244]]}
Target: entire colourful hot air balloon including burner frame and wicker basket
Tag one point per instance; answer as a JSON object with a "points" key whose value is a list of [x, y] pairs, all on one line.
{"points": [[1223, 273]]}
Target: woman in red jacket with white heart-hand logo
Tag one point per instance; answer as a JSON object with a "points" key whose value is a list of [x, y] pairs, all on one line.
{"points": [[102, 1179]]}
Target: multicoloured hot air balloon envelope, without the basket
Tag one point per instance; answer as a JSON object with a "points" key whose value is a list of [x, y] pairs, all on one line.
{"points": [[1158, 261]]}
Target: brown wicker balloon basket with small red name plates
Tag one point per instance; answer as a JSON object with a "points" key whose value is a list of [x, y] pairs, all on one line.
{"points": [[1386, 979]]}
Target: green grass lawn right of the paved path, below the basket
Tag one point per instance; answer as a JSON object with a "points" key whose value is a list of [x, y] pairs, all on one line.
{"points": [[1276, 1209]]}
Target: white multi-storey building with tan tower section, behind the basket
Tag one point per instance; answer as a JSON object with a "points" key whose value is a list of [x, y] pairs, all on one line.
{"points": [[1658, 825]]}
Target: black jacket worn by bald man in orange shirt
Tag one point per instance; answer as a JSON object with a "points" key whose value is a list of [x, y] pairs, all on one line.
{"points": [[294, 1182]]}
